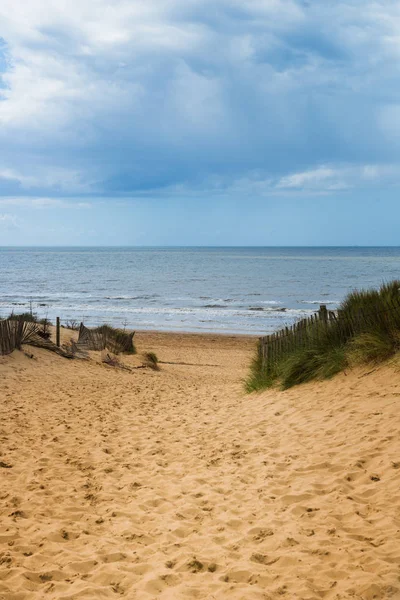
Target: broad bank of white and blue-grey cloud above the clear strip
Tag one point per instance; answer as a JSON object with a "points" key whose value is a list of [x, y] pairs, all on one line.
{"points": [[166, 94]]}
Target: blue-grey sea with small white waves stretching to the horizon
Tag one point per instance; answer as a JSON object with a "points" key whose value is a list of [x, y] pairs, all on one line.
{"points": [[232, 290]]}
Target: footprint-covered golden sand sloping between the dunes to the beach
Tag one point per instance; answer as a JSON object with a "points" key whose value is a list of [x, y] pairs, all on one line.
{"points": [[176, 485]]}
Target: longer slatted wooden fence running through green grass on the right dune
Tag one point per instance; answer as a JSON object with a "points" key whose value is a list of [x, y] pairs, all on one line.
{"points": [[334, 325]]}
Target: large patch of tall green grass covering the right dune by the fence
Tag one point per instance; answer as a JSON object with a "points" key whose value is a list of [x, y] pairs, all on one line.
{"points": [[367, 330]]}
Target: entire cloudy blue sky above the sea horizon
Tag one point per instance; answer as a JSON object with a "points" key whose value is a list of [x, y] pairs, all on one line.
{"points": [[199, 122]]}
